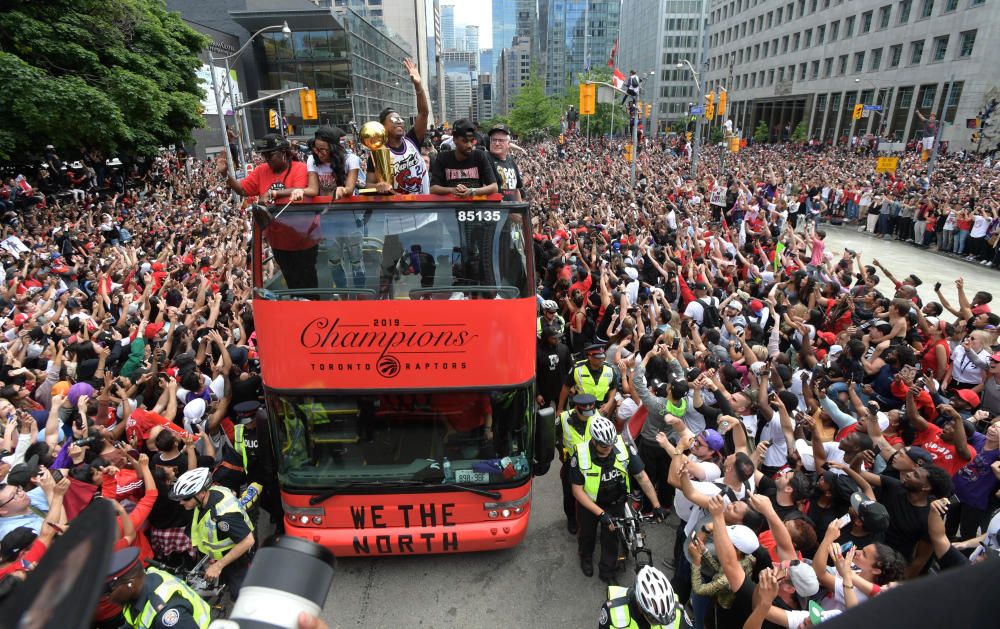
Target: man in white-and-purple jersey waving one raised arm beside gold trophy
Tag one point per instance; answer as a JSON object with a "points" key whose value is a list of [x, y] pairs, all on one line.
{"points": [[407, 171]]}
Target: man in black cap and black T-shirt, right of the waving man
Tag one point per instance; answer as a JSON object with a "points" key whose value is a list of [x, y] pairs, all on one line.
{"points": [[463, 172]]}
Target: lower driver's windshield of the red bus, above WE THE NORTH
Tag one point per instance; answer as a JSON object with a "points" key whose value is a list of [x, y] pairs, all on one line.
{"points": [[471, 437]]}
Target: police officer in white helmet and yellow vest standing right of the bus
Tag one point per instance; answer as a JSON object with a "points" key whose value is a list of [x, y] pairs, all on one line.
{"points": [[601, 473]]}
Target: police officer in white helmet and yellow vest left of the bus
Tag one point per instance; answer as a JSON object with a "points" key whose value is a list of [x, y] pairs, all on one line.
{"points": [[220, 527]]}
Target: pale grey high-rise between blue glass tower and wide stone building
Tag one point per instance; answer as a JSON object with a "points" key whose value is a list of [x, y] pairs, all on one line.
{"points": [[661, 33]]}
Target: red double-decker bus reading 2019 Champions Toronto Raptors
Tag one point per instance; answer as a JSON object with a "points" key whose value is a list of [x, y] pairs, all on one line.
{"points": [[396, 339]]}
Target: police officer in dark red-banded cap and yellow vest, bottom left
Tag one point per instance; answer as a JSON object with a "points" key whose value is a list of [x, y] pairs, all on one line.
{"points": [[153, 599]]}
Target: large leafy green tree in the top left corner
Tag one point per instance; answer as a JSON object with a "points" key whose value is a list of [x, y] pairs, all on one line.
{"points": [[110, 74]]}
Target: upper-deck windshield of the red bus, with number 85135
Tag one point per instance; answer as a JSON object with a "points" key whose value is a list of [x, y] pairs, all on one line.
{"points": [[346, 251]]}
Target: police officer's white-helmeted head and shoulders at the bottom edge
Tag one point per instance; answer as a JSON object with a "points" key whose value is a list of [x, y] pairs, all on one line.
{"points": [[650, 603]]}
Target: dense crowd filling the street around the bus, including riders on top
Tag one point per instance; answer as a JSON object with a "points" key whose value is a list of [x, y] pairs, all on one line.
{"points": [[821, 433]]}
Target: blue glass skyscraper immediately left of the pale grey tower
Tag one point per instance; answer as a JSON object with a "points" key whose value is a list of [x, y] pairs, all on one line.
{"points": [[576, 35]]}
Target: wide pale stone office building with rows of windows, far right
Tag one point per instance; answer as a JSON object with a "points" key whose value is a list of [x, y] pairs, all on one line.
{"points": [[803, 63]]}
